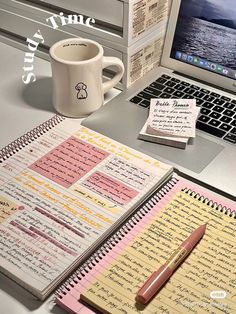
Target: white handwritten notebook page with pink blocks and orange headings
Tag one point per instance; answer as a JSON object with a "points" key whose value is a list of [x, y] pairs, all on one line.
{"points": [[60, 194]]}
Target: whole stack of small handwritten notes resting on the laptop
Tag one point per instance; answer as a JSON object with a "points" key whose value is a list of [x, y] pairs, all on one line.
{"points": [[171, 122]]}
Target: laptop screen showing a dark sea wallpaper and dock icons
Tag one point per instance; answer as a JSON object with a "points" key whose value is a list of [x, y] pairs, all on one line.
{"points": [[205, 35]]}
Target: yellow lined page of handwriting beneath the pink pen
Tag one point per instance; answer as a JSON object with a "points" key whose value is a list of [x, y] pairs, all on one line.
{"points": [[209, 268]]}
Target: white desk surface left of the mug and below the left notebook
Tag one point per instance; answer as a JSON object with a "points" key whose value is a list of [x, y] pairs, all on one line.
{"points": [[23, 107]]}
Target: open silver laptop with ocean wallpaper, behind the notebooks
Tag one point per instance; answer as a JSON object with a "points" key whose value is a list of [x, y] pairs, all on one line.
{"points": [[198, 62]]}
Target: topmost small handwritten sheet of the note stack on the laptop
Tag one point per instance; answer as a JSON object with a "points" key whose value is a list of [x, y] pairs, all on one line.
{"points": [[173, 117]]}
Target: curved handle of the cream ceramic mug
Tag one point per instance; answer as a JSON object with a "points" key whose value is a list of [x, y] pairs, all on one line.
{"points": [[108, 61]]}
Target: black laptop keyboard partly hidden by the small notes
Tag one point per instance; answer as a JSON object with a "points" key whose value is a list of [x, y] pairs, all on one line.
{"points": [[217, 115]]}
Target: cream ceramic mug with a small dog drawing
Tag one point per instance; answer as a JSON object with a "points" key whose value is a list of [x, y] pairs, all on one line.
{"points": [[77, 64]]}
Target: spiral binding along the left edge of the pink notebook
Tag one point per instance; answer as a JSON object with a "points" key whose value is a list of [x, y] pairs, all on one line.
{"points": [[114, 240]]}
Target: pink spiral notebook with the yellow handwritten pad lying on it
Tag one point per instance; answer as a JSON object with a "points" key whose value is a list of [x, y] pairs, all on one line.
{"points": [[205, 283]]}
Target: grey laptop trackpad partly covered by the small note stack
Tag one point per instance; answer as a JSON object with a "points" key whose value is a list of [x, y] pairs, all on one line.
{"points": [[195, 157]]}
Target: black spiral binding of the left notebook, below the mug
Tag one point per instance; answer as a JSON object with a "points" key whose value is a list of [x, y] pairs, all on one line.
{"points": [[12, 148]]}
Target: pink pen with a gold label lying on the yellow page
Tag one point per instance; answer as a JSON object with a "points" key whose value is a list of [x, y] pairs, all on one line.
{"points": [[159, 277]]}
